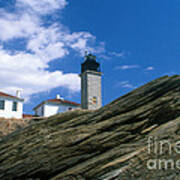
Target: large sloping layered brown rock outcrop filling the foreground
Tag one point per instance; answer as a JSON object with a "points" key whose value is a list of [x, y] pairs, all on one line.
{"points": [[108, 144]]}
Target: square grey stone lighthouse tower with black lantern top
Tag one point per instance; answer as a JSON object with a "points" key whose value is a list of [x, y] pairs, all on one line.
{"points": [[91, 97]]}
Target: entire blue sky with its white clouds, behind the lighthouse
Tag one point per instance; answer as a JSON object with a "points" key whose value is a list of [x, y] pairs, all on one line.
{"points": [[42, 44]]}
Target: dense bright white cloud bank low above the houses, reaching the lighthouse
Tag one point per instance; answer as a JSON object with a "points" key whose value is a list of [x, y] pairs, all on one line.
{"points": [[17, 72]]}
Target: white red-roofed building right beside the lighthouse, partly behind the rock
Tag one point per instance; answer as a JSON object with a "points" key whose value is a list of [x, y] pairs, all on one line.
{"points": [[54, 106]]}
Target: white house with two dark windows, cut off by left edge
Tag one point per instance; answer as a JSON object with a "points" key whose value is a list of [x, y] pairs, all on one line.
{"points": [[11, 106]]}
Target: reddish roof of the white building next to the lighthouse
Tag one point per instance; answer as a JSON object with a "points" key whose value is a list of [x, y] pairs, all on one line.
{"points": [[58, 101]]}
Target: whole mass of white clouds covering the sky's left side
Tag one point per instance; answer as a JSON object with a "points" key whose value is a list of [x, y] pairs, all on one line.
{"points": [[27, 69]]}
